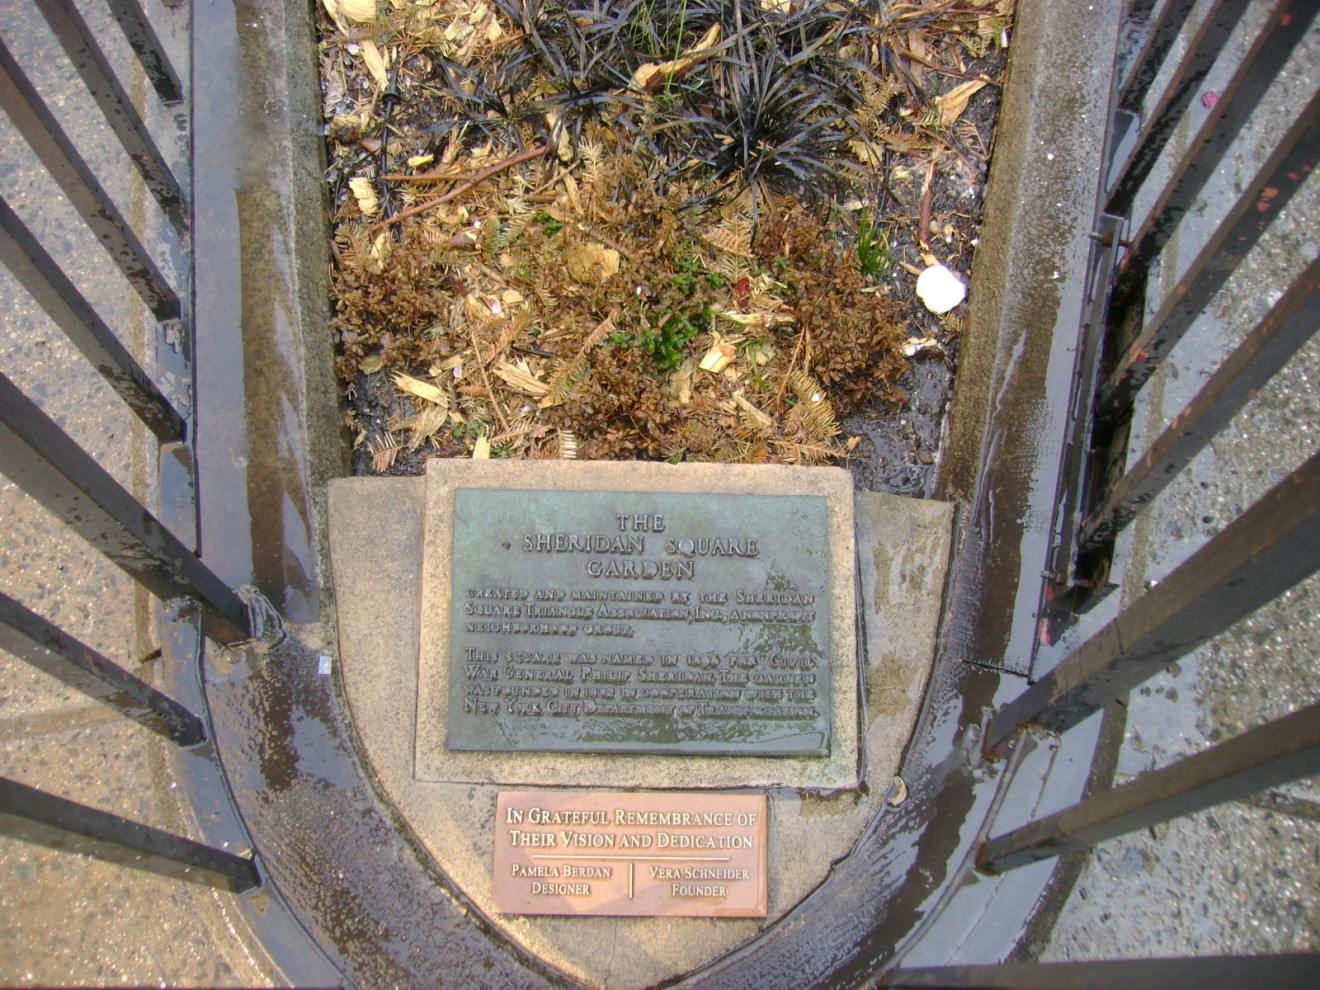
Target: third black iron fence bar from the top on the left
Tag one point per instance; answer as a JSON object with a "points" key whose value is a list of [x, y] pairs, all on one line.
{"points": [[39, 127]]}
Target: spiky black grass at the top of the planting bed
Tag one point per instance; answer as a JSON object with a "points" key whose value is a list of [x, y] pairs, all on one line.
{"points": [[772, 108]]}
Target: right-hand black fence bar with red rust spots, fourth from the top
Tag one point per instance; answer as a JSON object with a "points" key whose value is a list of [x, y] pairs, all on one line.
{"points": [[1269, 192]]}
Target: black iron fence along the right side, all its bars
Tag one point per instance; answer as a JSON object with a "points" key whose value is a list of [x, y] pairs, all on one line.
{"points": [[1152, 187]]}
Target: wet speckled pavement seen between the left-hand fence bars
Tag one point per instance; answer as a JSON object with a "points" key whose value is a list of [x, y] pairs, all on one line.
{"points": [[69, 919]]}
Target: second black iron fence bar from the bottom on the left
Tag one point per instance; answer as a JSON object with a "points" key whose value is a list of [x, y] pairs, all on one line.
{"points": [[31, 638]]}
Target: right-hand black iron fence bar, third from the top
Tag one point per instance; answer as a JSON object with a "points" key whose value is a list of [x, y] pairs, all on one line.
{"points": [[1237, 104]]}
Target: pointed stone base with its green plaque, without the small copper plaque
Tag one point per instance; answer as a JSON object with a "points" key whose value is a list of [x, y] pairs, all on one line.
{"points": [[882, 562]]}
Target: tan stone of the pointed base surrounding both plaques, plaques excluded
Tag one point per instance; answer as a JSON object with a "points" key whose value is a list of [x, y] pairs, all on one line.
{"points": [[389, 542]]}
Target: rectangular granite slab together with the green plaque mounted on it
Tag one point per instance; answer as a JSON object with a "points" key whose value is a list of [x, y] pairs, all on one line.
{"points": [[554, 649]]}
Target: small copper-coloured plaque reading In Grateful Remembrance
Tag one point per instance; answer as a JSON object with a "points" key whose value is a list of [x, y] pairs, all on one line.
{"points": [[630, 855]]}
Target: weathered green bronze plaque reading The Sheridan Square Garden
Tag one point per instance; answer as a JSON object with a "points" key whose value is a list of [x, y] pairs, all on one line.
{"points": [[640, 622]]}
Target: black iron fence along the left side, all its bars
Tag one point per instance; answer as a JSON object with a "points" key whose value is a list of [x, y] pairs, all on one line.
{"points": [[67, 480]]}
